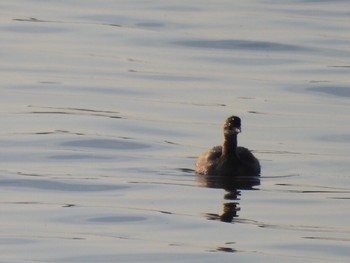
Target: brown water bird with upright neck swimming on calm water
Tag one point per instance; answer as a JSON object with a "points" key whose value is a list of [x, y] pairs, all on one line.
{"points": [[229, 159]]}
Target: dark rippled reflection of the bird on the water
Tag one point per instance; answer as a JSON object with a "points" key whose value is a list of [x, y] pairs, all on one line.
{"points": [[233, 187]]}
